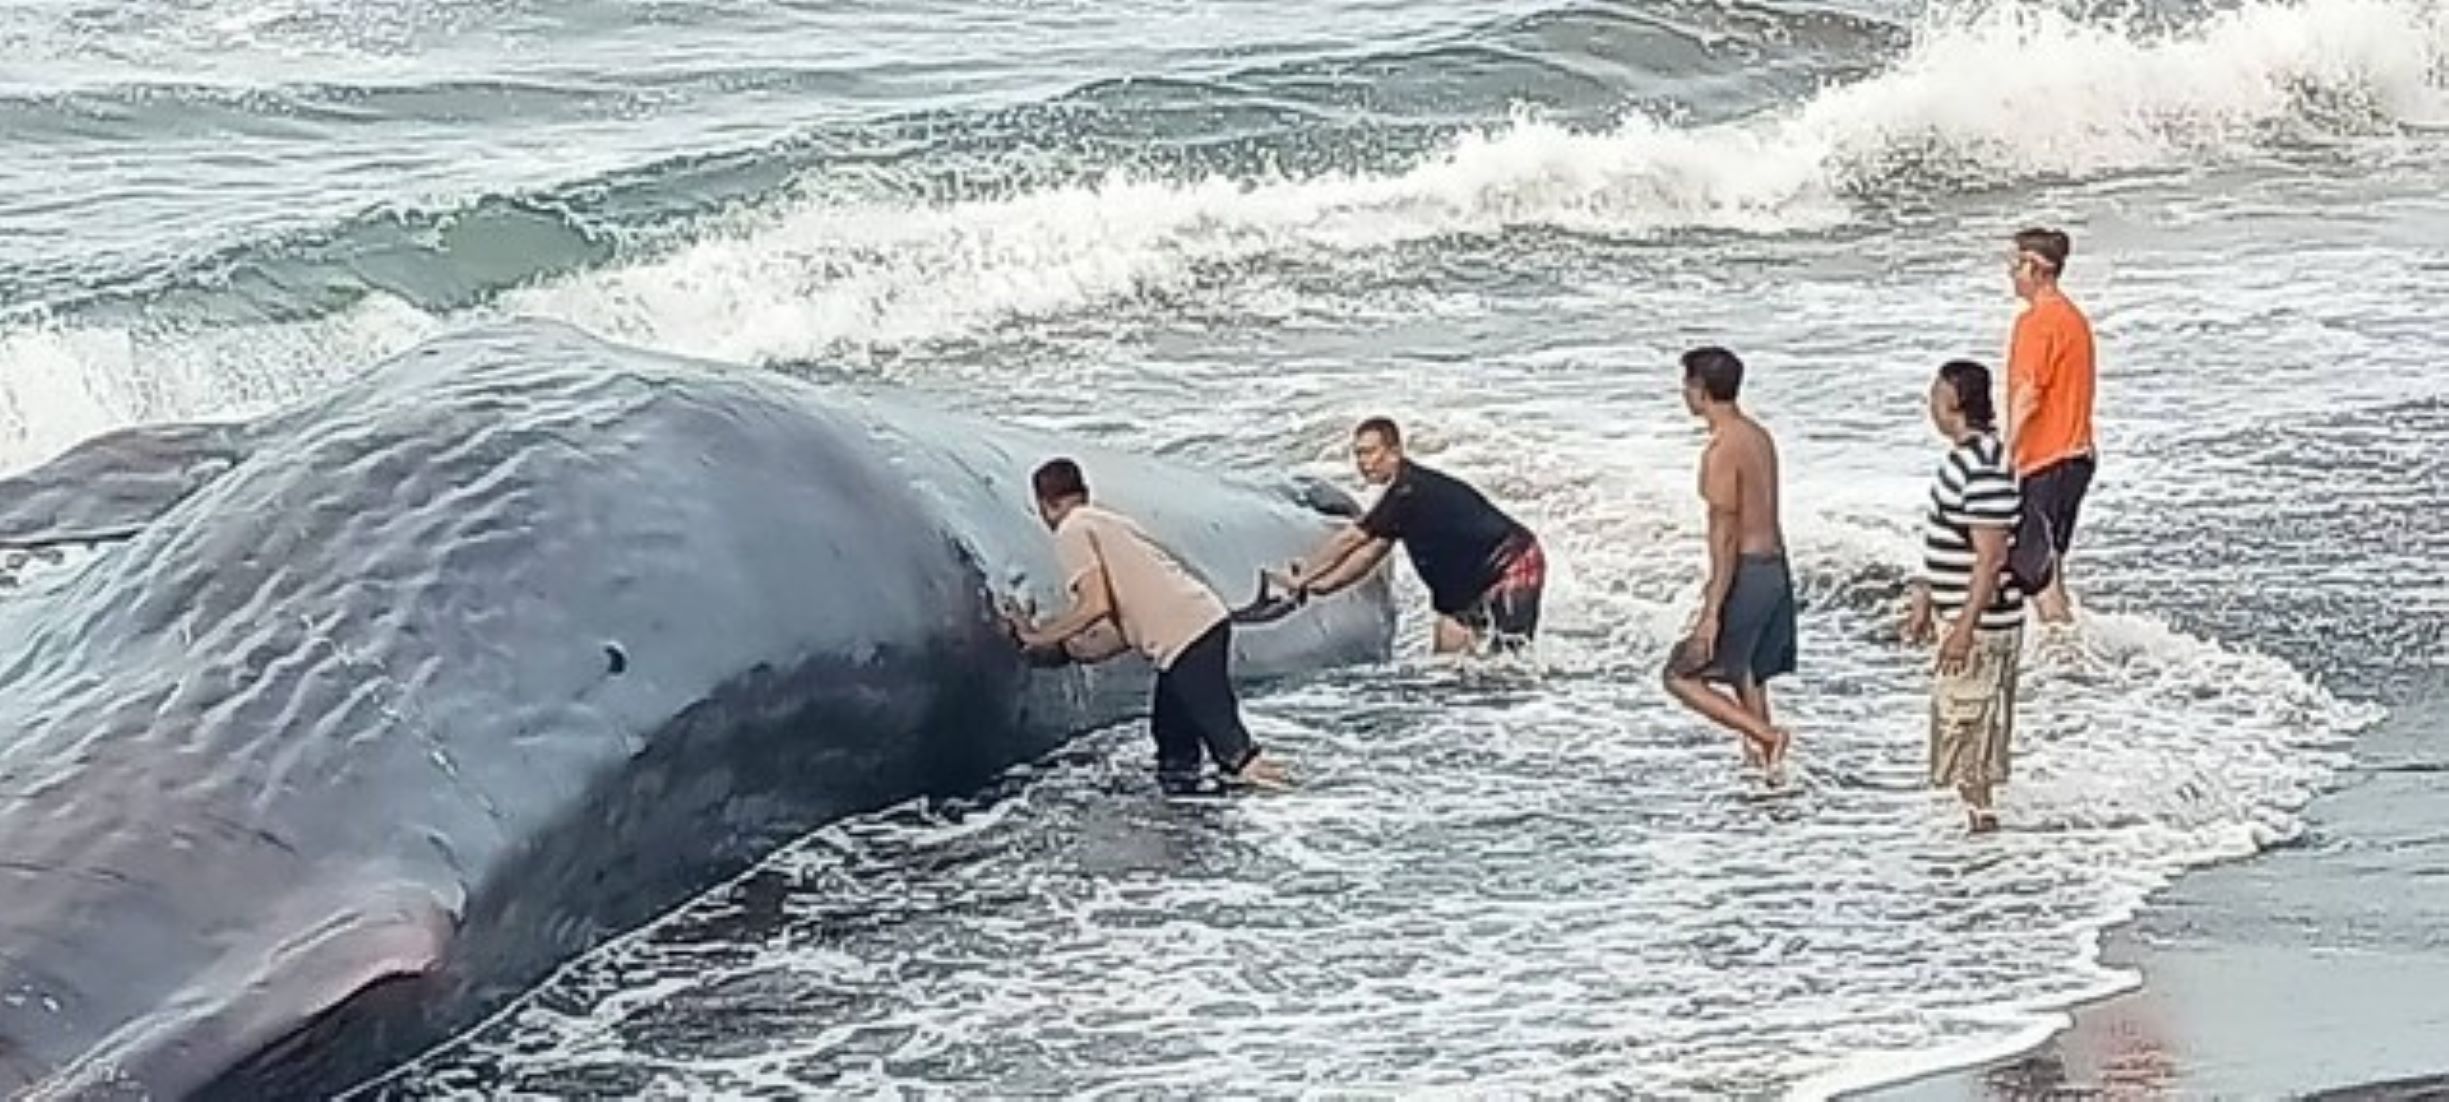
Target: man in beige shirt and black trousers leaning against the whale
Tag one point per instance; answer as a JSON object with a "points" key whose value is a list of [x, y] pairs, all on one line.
{"points": [[1118, 574]]}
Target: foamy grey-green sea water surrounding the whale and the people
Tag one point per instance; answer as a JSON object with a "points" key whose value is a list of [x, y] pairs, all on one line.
{"points": [[1228, 231]]}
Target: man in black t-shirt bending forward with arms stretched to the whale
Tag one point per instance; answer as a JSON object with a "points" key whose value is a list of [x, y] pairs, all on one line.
{"points": [[1483, 569]]}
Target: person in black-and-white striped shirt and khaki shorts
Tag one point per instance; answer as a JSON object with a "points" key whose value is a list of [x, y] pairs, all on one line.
{"points": [[1968, 596]]}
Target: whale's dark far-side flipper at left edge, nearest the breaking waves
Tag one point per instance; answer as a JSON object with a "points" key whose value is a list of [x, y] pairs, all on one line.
{"points": [[114, 484]]}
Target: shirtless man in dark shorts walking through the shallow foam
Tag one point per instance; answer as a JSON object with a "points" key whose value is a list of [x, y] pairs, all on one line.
{"points": [[1747, 616]]}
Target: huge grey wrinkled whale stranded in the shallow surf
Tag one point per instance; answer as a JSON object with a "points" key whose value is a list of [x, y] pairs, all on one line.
{"points": [[378, 709]]}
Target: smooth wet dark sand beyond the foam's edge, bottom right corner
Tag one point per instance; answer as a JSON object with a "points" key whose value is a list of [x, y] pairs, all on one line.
{"points": [[2306, 971]]}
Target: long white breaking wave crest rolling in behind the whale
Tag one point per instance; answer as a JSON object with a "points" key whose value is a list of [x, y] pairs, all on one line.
{"points": [[2005, 97]]}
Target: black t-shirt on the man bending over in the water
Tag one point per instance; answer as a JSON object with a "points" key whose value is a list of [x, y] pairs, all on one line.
{"points": [[1453, 535]]}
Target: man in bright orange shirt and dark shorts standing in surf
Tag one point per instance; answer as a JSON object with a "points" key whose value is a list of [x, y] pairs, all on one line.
{"points": [[2049, 386]]}
